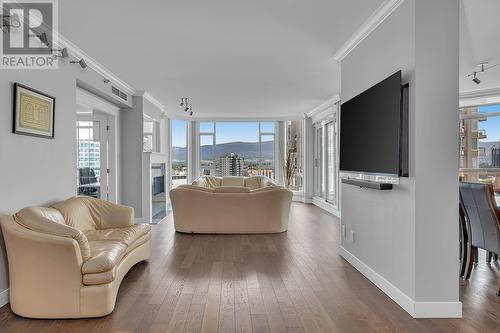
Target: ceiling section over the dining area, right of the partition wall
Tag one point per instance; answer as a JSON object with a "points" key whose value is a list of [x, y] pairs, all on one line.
{"points": [[479, 41]]}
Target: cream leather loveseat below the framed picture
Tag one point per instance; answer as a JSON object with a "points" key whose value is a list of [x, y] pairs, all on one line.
{"points": [[68, 261]]}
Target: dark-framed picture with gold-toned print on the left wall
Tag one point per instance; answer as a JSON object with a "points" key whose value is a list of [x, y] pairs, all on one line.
{"points": [[34, 112]]}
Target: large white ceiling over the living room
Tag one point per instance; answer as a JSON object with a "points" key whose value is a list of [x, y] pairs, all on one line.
{"points": [[234, 58]]}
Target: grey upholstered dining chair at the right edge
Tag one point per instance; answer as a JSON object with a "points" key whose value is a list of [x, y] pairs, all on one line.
{"points": [[483, 218]]}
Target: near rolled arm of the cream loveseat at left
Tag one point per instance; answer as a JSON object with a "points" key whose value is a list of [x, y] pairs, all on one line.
{"points": [[42, 267]]}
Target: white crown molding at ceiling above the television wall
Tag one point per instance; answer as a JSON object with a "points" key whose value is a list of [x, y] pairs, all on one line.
{"points": [[379, 16]]}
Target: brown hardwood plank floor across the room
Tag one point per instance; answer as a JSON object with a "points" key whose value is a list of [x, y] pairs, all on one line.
{"points": [[291, 282]]}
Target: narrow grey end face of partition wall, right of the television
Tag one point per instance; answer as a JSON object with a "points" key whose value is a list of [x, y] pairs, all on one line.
{"points": [[436, 152]]}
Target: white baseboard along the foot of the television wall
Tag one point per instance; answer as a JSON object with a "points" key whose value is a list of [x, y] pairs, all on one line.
{"points": [[415, 309]]}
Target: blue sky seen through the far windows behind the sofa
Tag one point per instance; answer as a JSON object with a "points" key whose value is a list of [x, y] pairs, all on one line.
{"points": [[226, 132]]}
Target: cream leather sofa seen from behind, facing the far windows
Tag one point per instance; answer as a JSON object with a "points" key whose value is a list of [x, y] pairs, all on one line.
{"points": [[231, 205]]}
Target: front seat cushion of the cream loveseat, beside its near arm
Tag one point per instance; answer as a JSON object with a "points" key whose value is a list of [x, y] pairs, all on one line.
{"points": [[105, 255]]}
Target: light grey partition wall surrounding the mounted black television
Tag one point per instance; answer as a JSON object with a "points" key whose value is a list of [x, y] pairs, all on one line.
{"points": [[406, 240]]}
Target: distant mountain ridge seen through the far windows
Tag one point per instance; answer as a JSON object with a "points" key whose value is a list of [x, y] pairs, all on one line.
{"points": [[248, 150]]}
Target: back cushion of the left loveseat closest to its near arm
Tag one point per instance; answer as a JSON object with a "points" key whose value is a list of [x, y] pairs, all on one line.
{"points": [[76, 213]]}
